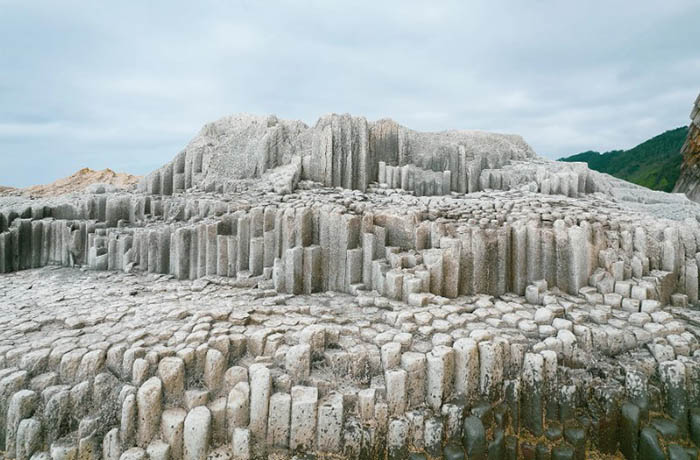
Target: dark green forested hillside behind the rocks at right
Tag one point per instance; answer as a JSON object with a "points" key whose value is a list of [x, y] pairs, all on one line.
{"points": [[655, 163]]}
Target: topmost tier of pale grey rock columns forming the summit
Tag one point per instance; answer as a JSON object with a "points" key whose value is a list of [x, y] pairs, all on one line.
{"points": [[340, 150]]}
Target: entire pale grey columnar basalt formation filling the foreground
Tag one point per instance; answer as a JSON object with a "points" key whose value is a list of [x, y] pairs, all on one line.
{"points": [[351, 290]]}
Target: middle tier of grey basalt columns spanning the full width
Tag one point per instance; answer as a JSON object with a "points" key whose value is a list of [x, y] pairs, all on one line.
{"points": [[305, 247]]}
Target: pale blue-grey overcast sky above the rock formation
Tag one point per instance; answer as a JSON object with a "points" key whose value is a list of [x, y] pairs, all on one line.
{"points": [[126, 84]]}
